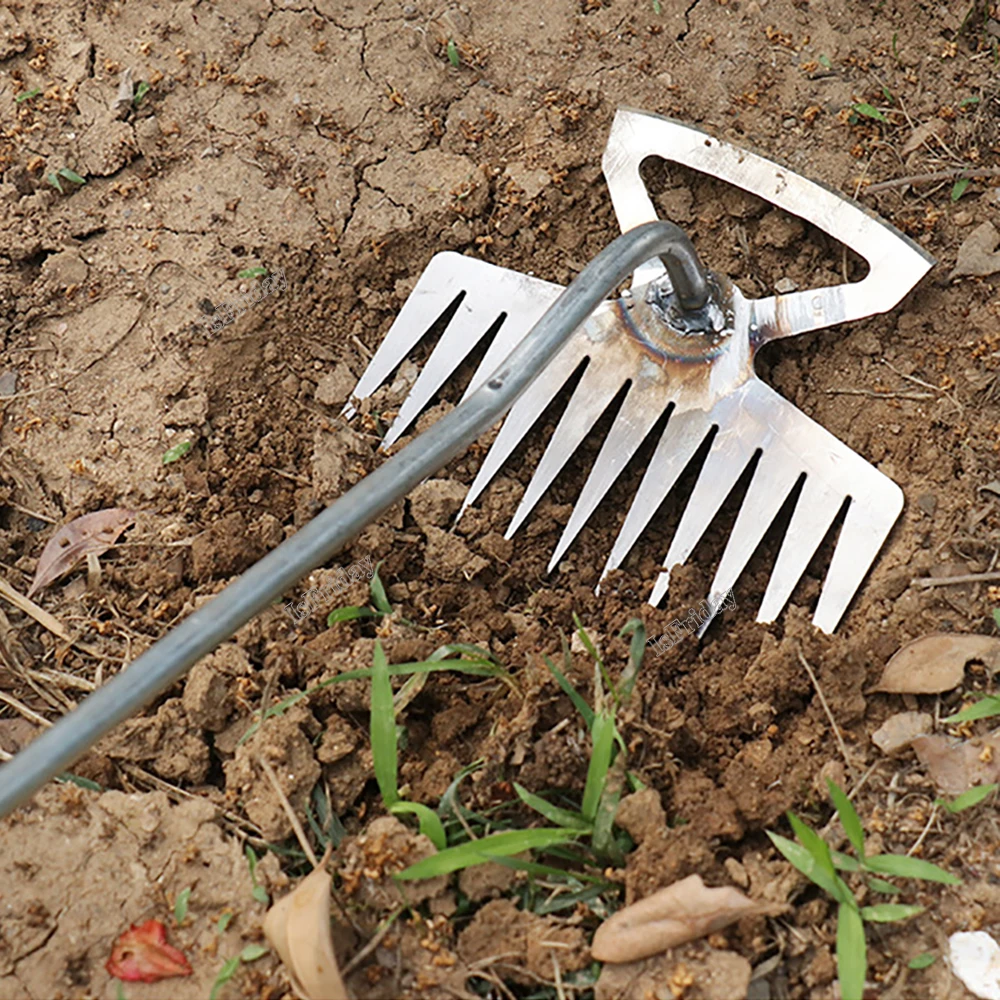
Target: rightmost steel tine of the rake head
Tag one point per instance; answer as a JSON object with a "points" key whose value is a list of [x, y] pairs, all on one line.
{"points": [[875, 505]]}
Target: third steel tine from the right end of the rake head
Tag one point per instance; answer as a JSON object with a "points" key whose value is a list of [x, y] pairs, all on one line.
{"points": [[773, 480]]}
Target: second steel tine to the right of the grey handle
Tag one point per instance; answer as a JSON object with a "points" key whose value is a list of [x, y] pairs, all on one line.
{"points": [[598, 386]]}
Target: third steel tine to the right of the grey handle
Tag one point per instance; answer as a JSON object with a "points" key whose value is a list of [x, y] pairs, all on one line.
{"points": [[642, 407]]}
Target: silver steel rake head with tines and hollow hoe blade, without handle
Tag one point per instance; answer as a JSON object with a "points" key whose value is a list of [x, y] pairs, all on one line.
{"points": [[698, 370]]}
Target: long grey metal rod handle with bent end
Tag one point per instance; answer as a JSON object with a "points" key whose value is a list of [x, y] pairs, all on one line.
{"points": [[170, 658]]}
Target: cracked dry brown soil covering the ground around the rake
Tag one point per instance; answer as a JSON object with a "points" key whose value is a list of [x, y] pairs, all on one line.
{"points": [[336, 141]]}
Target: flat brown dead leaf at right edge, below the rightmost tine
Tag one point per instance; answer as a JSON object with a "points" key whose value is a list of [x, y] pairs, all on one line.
{"points": [[936, 663]]}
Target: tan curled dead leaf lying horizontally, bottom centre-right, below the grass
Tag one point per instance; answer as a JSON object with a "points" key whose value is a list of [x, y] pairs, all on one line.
{"points": [[681, 912]]}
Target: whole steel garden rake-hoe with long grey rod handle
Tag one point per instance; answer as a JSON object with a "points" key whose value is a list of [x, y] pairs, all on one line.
{"points": [[683, 339]]}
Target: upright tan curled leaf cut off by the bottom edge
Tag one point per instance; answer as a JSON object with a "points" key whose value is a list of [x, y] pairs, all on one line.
{"points": [[298, 928]]}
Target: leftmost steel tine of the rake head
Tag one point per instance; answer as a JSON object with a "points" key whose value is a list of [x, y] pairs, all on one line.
{"points": [[445, 277]]}
